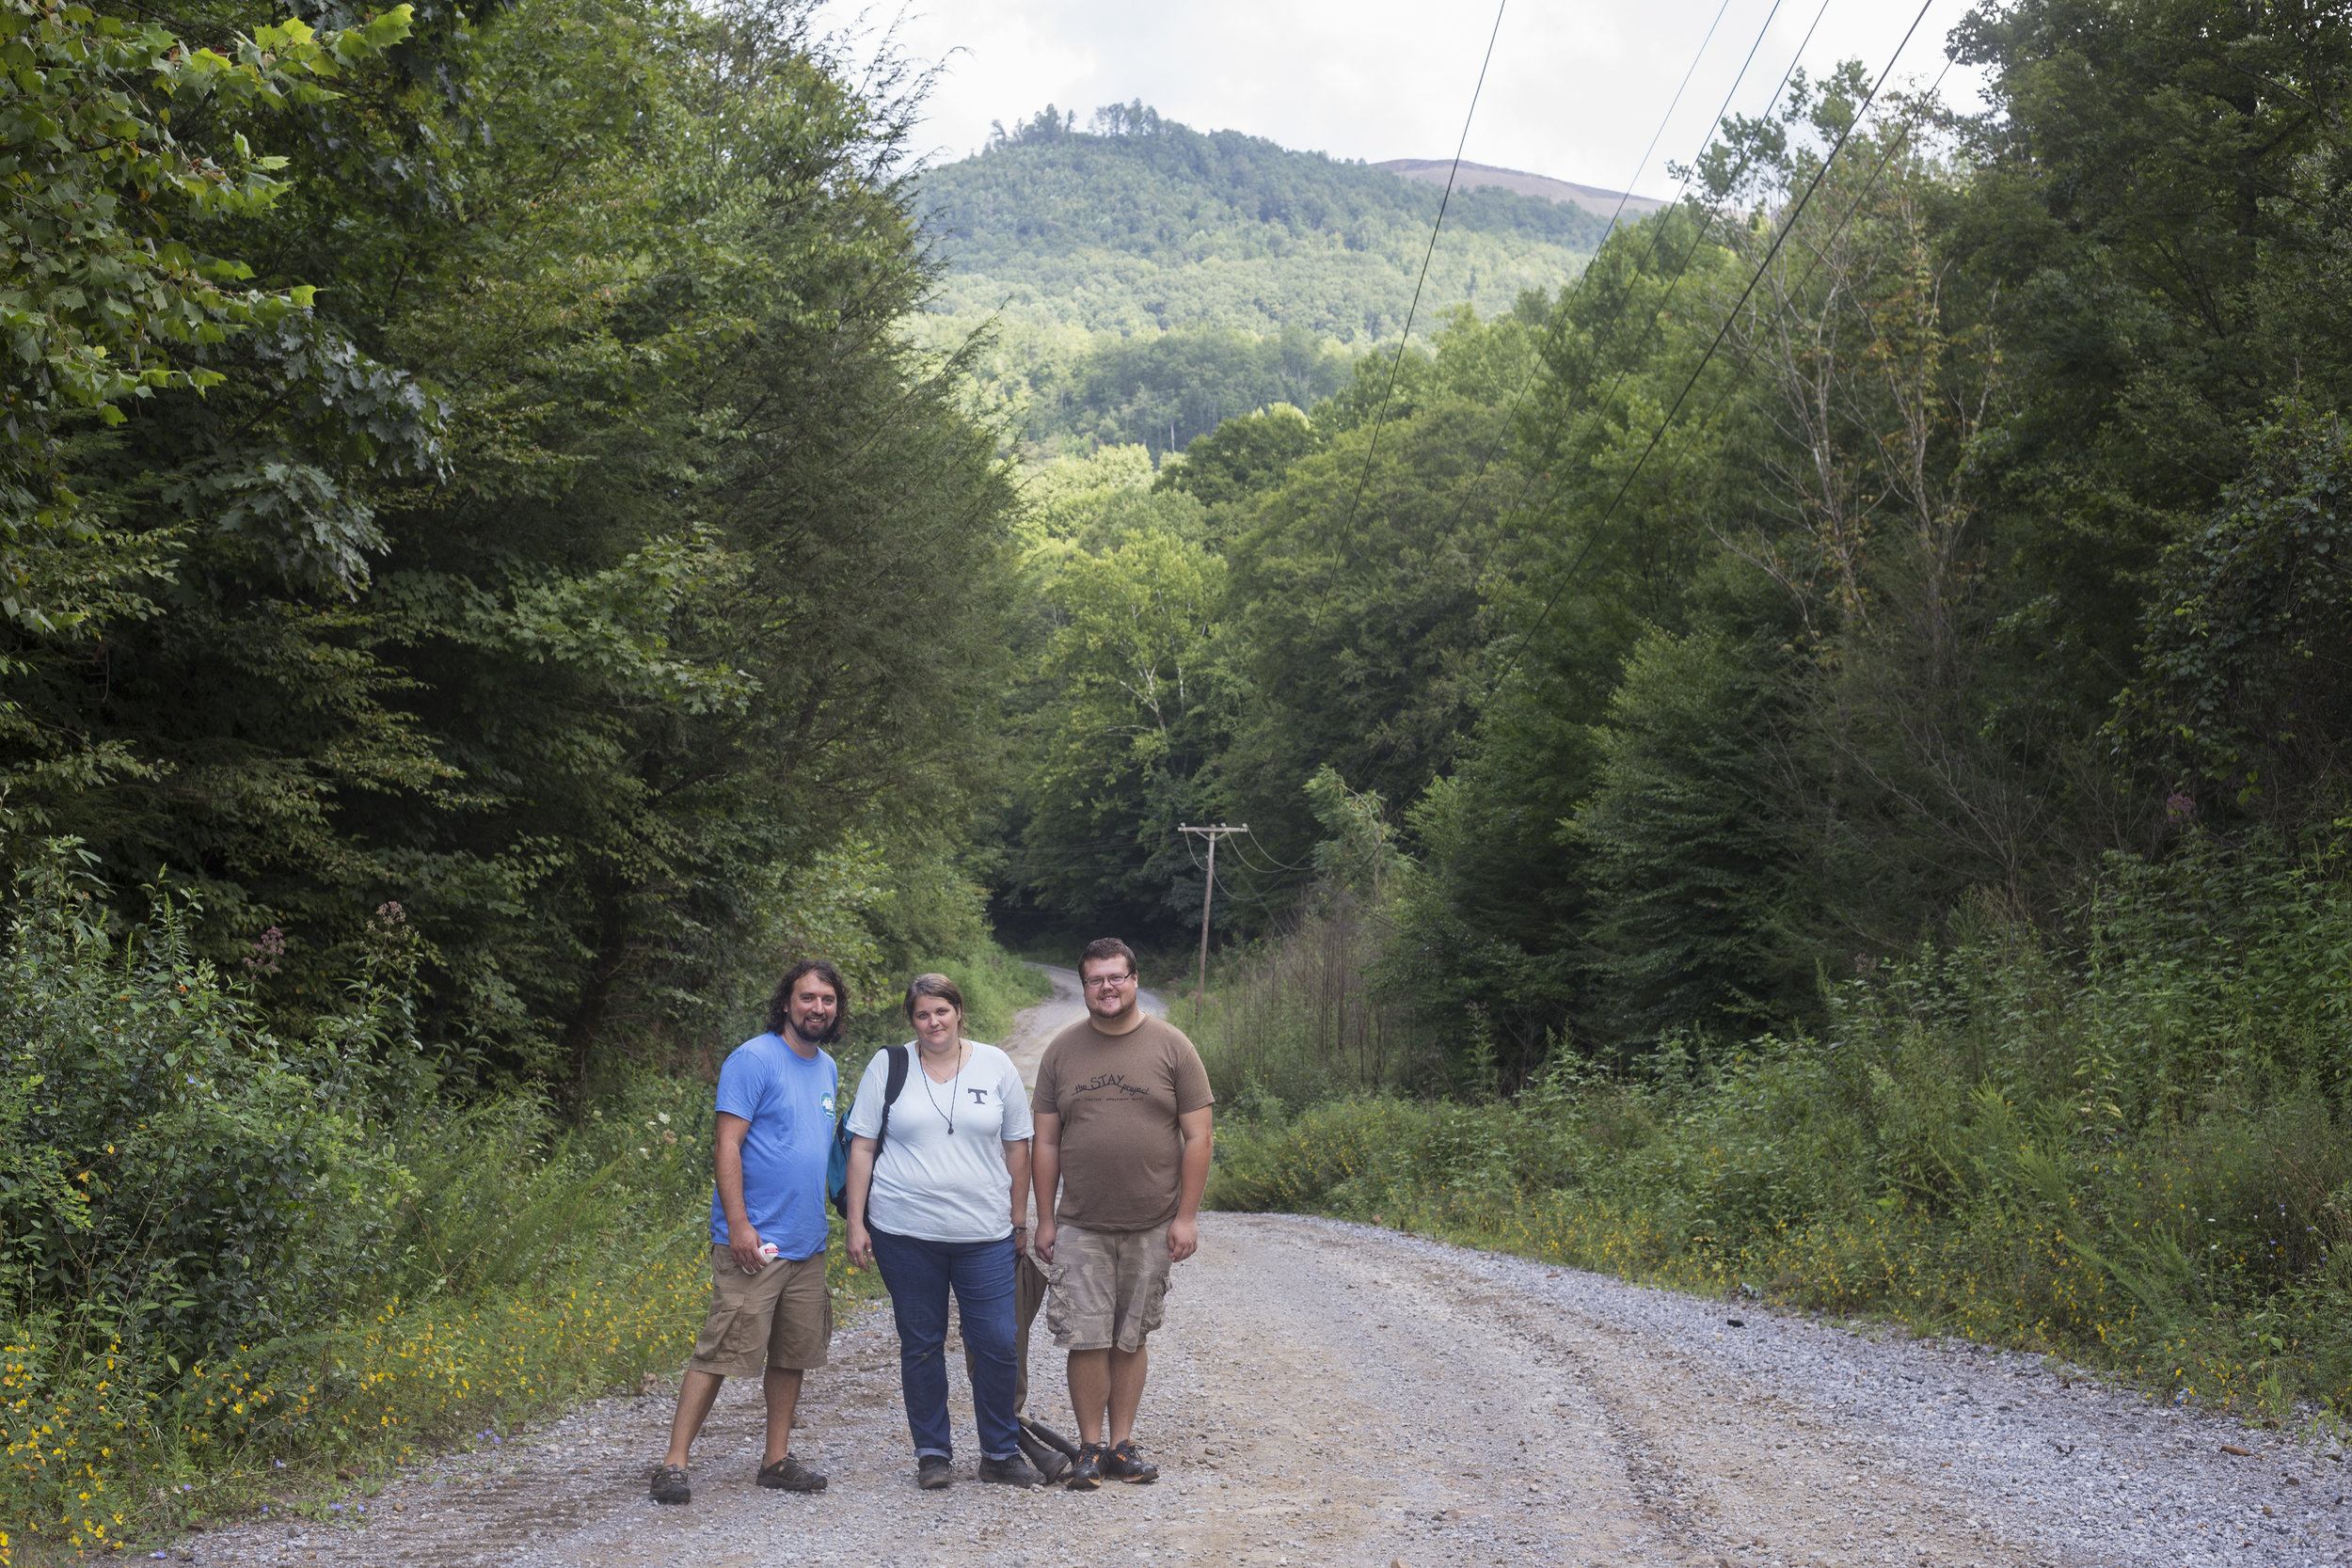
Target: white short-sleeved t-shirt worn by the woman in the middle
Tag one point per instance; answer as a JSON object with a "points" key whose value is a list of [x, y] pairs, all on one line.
{"points": [[930, 1184]]}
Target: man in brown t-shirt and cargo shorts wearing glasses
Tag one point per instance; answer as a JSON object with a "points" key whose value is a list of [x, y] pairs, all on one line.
{"points": [[1123, 1115]]}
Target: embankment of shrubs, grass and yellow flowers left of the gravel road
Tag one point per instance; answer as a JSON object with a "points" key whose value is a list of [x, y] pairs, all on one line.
{"points": [[288, 1271]]}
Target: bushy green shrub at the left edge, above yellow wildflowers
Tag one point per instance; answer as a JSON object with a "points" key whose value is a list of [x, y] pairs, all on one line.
{"points": [[201, 1184]]}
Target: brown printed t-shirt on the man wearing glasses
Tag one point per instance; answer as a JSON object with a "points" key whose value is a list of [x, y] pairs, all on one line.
{"points": [[1118, 1099]]}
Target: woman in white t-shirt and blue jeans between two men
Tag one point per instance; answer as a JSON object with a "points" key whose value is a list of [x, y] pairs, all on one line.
{"points": [[942, 1209]]}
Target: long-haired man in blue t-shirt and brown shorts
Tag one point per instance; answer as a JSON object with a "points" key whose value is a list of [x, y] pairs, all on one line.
{"points": [[770, 1311]]}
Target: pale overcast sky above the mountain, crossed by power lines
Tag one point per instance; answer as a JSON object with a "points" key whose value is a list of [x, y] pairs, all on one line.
{"points": [[1577, 86]]}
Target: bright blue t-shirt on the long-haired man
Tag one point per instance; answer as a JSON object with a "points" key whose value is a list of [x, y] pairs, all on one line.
{"points": [[789, 1104]]}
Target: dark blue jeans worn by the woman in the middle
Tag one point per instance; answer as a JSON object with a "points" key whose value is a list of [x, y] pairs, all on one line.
{"points": [[982, 1275]]}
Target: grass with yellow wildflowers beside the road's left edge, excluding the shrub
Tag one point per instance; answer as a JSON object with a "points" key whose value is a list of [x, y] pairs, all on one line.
{"points": [[535, 1268]]}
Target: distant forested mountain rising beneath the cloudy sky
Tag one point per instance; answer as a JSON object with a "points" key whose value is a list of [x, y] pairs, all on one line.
{"points": [[1144, 281]]}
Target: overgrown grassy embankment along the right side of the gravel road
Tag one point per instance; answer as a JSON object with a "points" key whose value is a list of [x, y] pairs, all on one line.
{"points": [[2134, 1155]]}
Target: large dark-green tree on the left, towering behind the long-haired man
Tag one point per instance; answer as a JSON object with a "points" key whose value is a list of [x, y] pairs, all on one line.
{"points": [[584, 563]]}
